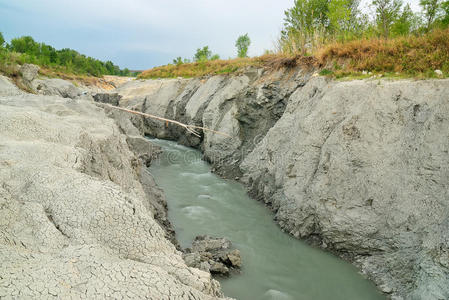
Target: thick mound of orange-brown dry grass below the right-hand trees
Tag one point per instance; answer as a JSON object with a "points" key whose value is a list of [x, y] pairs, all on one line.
{"points": [[413, 55]]}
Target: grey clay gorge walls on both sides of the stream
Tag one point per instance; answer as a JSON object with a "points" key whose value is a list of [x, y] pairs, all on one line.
{"points": [[358, 168]]}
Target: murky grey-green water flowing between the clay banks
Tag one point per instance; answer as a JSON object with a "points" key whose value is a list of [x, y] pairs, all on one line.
{"points": [[275, 265]]}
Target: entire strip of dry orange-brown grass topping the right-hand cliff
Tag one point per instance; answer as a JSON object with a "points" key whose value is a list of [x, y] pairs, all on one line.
{"points": [[411, 56]]}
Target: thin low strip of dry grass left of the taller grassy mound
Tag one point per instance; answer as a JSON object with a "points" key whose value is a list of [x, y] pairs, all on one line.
{"points": [[231, 66]]}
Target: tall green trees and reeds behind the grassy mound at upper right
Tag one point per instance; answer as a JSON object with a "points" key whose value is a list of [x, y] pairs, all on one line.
{"points": [[310, 24]]}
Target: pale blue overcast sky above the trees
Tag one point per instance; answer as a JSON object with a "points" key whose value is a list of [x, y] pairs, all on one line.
{"points": [[140, 34]]}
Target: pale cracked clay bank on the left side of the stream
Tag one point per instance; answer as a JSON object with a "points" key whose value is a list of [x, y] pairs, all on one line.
{"points": [[75, 219]]}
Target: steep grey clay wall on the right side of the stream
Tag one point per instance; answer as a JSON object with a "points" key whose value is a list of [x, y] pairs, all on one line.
{"points": [[359, 168]]}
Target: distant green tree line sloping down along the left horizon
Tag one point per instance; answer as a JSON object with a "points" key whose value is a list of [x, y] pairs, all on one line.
{"points": [[26, 50]]}
